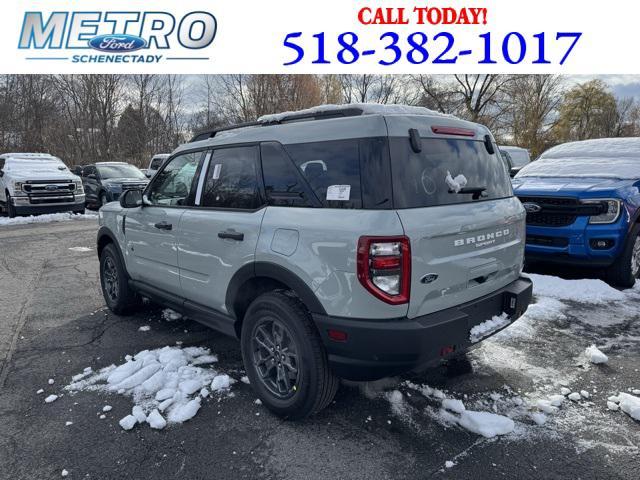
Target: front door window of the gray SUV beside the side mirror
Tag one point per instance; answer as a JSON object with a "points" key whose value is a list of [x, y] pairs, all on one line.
{"points": [[173, 184]]}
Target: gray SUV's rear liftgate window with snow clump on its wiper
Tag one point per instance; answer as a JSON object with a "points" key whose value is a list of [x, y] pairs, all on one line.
{"points": [[419, 179]]}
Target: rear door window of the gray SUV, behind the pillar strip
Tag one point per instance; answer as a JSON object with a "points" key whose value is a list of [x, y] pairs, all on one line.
{"points": [[232, 179]]}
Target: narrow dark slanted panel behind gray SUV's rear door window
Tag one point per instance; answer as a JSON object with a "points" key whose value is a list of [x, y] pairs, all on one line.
{"points": [[281, 180]]}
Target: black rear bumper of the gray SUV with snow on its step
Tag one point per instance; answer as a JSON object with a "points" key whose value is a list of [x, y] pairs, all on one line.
{"points": [[380, 348]]}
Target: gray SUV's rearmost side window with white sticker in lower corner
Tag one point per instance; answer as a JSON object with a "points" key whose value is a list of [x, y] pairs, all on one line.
{"points": [[332, 169]]}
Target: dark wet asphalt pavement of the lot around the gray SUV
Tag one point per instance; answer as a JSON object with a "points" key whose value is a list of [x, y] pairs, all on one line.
{"points": [[53, 324]]}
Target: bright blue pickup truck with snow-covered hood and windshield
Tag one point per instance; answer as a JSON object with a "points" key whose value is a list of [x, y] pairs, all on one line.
{"points": [[583, 207]]}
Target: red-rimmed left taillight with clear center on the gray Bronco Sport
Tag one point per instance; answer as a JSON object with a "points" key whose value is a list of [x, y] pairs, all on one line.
{"points": [[384, 267]]}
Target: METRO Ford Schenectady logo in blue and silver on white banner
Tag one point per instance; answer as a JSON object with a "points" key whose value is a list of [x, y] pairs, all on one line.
{"points": [[116, 37]]}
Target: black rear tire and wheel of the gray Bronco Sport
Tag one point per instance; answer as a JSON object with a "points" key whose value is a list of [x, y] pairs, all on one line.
{"points": [[314, 385]]}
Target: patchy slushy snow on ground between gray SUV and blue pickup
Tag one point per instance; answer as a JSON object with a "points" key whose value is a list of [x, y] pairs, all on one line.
{"points": [[542, 357]]}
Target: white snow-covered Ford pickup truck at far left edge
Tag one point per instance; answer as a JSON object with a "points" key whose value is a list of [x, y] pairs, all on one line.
{"points": [[35, 183]]}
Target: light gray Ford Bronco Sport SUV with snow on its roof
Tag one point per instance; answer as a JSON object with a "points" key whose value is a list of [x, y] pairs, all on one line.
{"points": [[352, 242]]}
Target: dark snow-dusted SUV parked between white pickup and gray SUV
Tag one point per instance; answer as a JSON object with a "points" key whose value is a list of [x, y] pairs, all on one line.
{"points": [[104, 182]]}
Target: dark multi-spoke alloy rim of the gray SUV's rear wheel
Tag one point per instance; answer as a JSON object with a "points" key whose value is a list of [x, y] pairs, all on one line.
{"points": [[275, 357]]}
